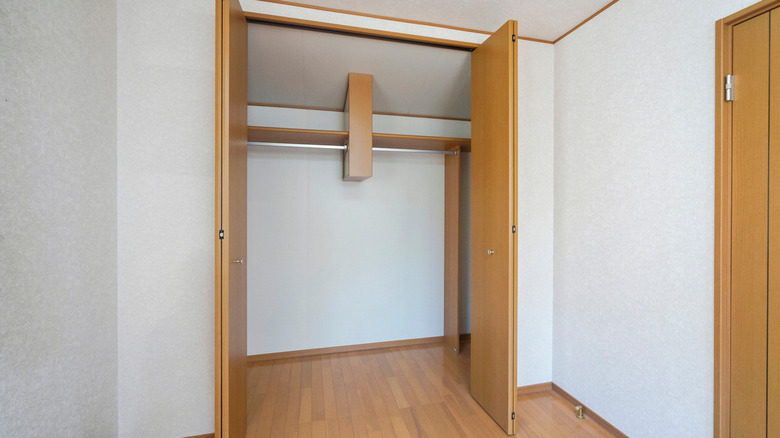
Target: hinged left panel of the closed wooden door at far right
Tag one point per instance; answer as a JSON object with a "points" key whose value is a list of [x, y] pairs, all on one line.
{"points": [[749, 228]]}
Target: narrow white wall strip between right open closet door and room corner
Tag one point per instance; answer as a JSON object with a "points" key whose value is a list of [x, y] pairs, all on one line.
{"points": [[535, 172]]}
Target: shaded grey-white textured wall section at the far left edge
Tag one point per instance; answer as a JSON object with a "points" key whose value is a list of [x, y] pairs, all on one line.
{"points": [[58, 354]]}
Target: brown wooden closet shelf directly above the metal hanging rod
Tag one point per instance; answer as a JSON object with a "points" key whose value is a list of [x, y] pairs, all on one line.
{"points": [[287, 135]]}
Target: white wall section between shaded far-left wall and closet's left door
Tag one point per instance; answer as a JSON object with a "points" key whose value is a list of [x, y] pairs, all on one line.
{"points": [[165, 160]]}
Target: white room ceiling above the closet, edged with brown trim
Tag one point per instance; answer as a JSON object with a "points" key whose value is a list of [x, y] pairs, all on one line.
{"points": [[542, 19]]}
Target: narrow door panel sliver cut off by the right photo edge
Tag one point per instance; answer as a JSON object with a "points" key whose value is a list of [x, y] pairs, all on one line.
{"points": [[773, 373]]}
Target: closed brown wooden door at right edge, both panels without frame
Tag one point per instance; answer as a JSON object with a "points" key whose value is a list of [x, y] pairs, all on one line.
{"points": [[755, 238]]}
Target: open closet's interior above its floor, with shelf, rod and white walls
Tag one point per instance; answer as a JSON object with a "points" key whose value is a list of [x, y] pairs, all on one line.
{"points": [[358, 173]]}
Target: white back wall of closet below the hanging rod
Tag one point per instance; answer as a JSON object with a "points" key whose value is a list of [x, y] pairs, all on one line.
{"points": [[335, 263]]}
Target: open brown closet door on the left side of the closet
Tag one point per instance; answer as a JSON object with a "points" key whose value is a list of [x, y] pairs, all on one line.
{"points": [[231, 132]]}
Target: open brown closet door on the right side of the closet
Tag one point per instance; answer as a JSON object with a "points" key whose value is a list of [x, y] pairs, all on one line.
{"points": [[493, 216]]}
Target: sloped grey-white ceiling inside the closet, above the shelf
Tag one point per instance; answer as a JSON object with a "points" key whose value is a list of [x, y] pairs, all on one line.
{"points": [[297, 67]]}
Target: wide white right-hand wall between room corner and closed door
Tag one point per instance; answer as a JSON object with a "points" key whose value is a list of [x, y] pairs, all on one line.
{"points": [[634, 164]]}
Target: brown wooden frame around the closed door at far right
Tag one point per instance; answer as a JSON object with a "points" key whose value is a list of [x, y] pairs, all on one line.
{"points": [[723, 209]]}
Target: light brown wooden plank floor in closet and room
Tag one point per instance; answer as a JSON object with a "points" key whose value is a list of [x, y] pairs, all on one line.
{"points": [[419, 391]]}
